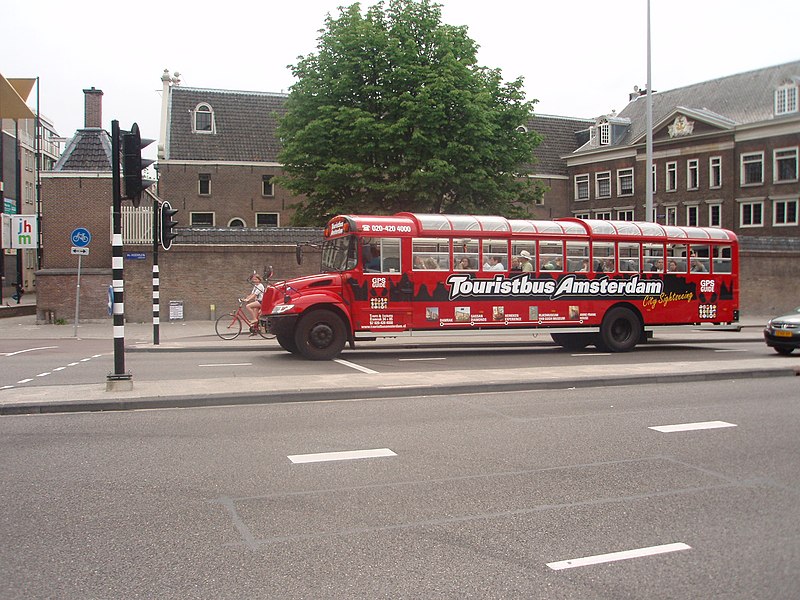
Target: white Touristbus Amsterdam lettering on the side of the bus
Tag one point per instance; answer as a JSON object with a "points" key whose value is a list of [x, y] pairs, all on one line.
{"points": [[525, 286]]}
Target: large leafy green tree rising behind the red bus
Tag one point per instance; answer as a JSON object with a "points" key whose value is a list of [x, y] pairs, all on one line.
{"points": [[393, 113]]}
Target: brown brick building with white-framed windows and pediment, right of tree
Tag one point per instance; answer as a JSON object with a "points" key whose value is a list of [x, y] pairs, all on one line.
{"points": [[725, 154]]}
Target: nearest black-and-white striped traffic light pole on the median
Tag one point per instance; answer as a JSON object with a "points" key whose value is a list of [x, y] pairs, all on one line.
{"points": [[119, 380]]}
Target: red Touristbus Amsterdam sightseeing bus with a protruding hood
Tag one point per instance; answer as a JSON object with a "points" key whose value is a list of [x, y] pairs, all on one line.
{"points": [[586, 281]]}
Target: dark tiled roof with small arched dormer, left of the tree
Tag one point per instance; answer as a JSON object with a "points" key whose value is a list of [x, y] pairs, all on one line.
{"points": [[245, 125]]}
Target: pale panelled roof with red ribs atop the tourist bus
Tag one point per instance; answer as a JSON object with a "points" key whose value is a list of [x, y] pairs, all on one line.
{"points": [[429, 224]]}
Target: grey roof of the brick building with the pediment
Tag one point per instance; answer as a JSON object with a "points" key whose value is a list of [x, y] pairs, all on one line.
{"points": [[739, 99]]}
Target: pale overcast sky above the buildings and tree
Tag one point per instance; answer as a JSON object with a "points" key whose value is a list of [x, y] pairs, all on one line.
{"points": [[579, 58]]}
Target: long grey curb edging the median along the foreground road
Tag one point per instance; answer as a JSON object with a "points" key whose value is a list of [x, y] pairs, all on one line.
{"points": [[278, 397]]}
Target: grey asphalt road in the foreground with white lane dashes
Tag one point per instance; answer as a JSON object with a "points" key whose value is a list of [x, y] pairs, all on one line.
{"points": [[470, 496]]}
